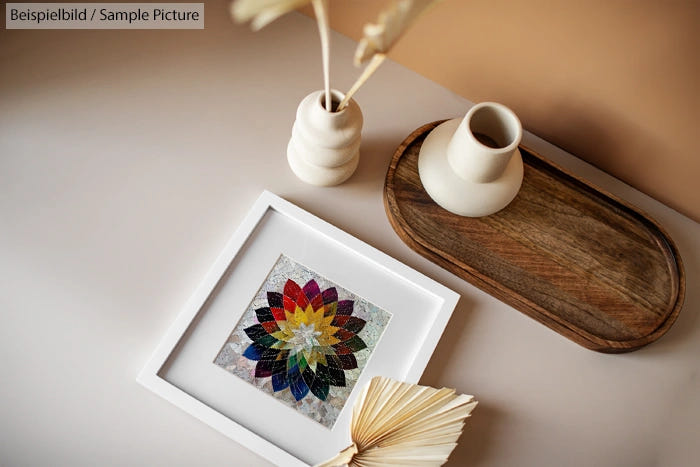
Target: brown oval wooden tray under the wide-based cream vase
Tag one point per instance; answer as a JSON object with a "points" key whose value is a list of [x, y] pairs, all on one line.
{"points": [[578, 260]]}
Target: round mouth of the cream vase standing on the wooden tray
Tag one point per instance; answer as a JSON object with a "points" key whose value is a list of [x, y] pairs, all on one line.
{"points": [[494, 127]]}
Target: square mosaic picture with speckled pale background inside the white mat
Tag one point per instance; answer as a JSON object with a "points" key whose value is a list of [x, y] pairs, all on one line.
{"points": [[304, 340]]}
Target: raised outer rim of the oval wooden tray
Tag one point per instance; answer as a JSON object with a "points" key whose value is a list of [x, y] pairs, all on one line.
{"points": [[522, 304]]}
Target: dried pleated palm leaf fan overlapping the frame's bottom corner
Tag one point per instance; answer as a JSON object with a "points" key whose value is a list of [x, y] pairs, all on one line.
{"points": [[405, 424]]}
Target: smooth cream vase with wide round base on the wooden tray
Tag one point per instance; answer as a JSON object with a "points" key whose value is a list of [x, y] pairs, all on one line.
{"points": [[472, 166]]}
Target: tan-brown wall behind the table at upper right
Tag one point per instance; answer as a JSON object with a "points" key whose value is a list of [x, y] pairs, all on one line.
{"points": [[615, 82]]}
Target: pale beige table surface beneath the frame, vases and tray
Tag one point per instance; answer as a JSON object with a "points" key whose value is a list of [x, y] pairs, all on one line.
{"points": [[127, 159]]}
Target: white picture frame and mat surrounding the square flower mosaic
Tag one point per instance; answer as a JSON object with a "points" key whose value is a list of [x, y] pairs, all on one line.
{"points": [[181, 369]]}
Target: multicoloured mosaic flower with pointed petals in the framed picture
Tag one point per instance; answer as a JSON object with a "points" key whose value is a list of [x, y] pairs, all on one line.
{"points": [[305, 339]]}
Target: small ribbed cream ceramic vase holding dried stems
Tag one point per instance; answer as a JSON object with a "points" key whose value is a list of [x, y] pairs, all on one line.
{"points": [[324, 148]]}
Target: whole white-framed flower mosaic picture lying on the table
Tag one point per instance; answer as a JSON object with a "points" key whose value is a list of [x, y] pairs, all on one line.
{"points": [[291, 321]]}
